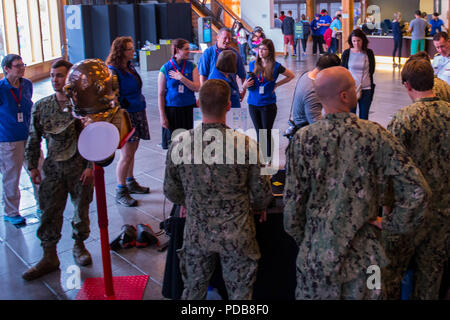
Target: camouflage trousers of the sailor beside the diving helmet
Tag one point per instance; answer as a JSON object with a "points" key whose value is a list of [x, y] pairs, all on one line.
{"points": [[60, 179]]}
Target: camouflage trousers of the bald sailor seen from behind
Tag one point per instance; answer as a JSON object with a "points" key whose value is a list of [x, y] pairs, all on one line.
{"points": [[311, 288]]}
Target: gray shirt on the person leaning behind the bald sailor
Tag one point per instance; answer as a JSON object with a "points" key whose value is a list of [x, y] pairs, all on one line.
{"points": [[306, 104]]}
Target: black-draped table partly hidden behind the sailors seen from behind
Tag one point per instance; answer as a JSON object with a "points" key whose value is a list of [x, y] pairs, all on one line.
{"points": [[276, 275]]}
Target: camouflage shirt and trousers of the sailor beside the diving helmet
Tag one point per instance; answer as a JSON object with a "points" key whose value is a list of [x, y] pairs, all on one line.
{"points": [[61, 171]]}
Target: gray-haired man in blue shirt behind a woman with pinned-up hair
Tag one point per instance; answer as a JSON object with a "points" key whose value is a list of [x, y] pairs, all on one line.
{"points": [[208, 60]]}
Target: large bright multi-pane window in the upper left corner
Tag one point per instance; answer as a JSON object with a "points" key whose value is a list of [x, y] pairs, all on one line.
{"points": [[30, 28]]}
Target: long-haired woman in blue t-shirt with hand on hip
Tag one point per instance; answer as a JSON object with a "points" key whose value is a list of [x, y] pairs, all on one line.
{"points": [[262, 99]]}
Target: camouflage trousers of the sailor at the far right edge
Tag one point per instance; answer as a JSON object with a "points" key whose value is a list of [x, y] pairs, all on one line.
{"points": [[427, 257]]}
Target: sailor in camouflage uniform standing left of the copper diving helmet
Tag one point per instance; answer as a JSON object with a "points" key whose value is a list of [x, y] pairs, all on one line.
{"points": [[65, 172]]}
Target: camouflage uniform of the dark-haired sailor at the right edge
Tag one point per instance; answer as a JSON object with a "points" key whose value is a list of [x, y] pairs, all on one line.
{"points": [[423, 129]]}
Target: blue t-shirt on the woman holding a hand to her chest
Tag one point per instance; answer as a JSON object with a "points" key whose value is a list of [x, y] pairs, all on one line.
{"points": [[173, 97]]}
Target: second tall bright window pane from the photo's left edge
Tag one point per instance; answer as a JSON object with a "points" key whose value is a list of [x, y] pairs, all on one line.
{"points": [[24, 31]]}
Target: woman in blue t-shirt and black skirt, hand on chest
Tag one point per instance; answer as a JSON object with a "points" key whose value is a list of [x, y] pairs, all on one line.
{"points": [[177, 81]]}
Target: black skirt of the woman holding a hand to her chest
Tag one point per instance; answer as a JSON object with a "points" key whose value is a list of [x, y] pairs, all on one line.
{"points": [[179, 118]]}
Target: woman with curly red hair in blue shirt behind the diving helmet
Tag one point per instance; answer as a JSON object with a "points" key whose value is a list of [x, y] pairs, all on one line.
{"points": [[132, 100]]}
